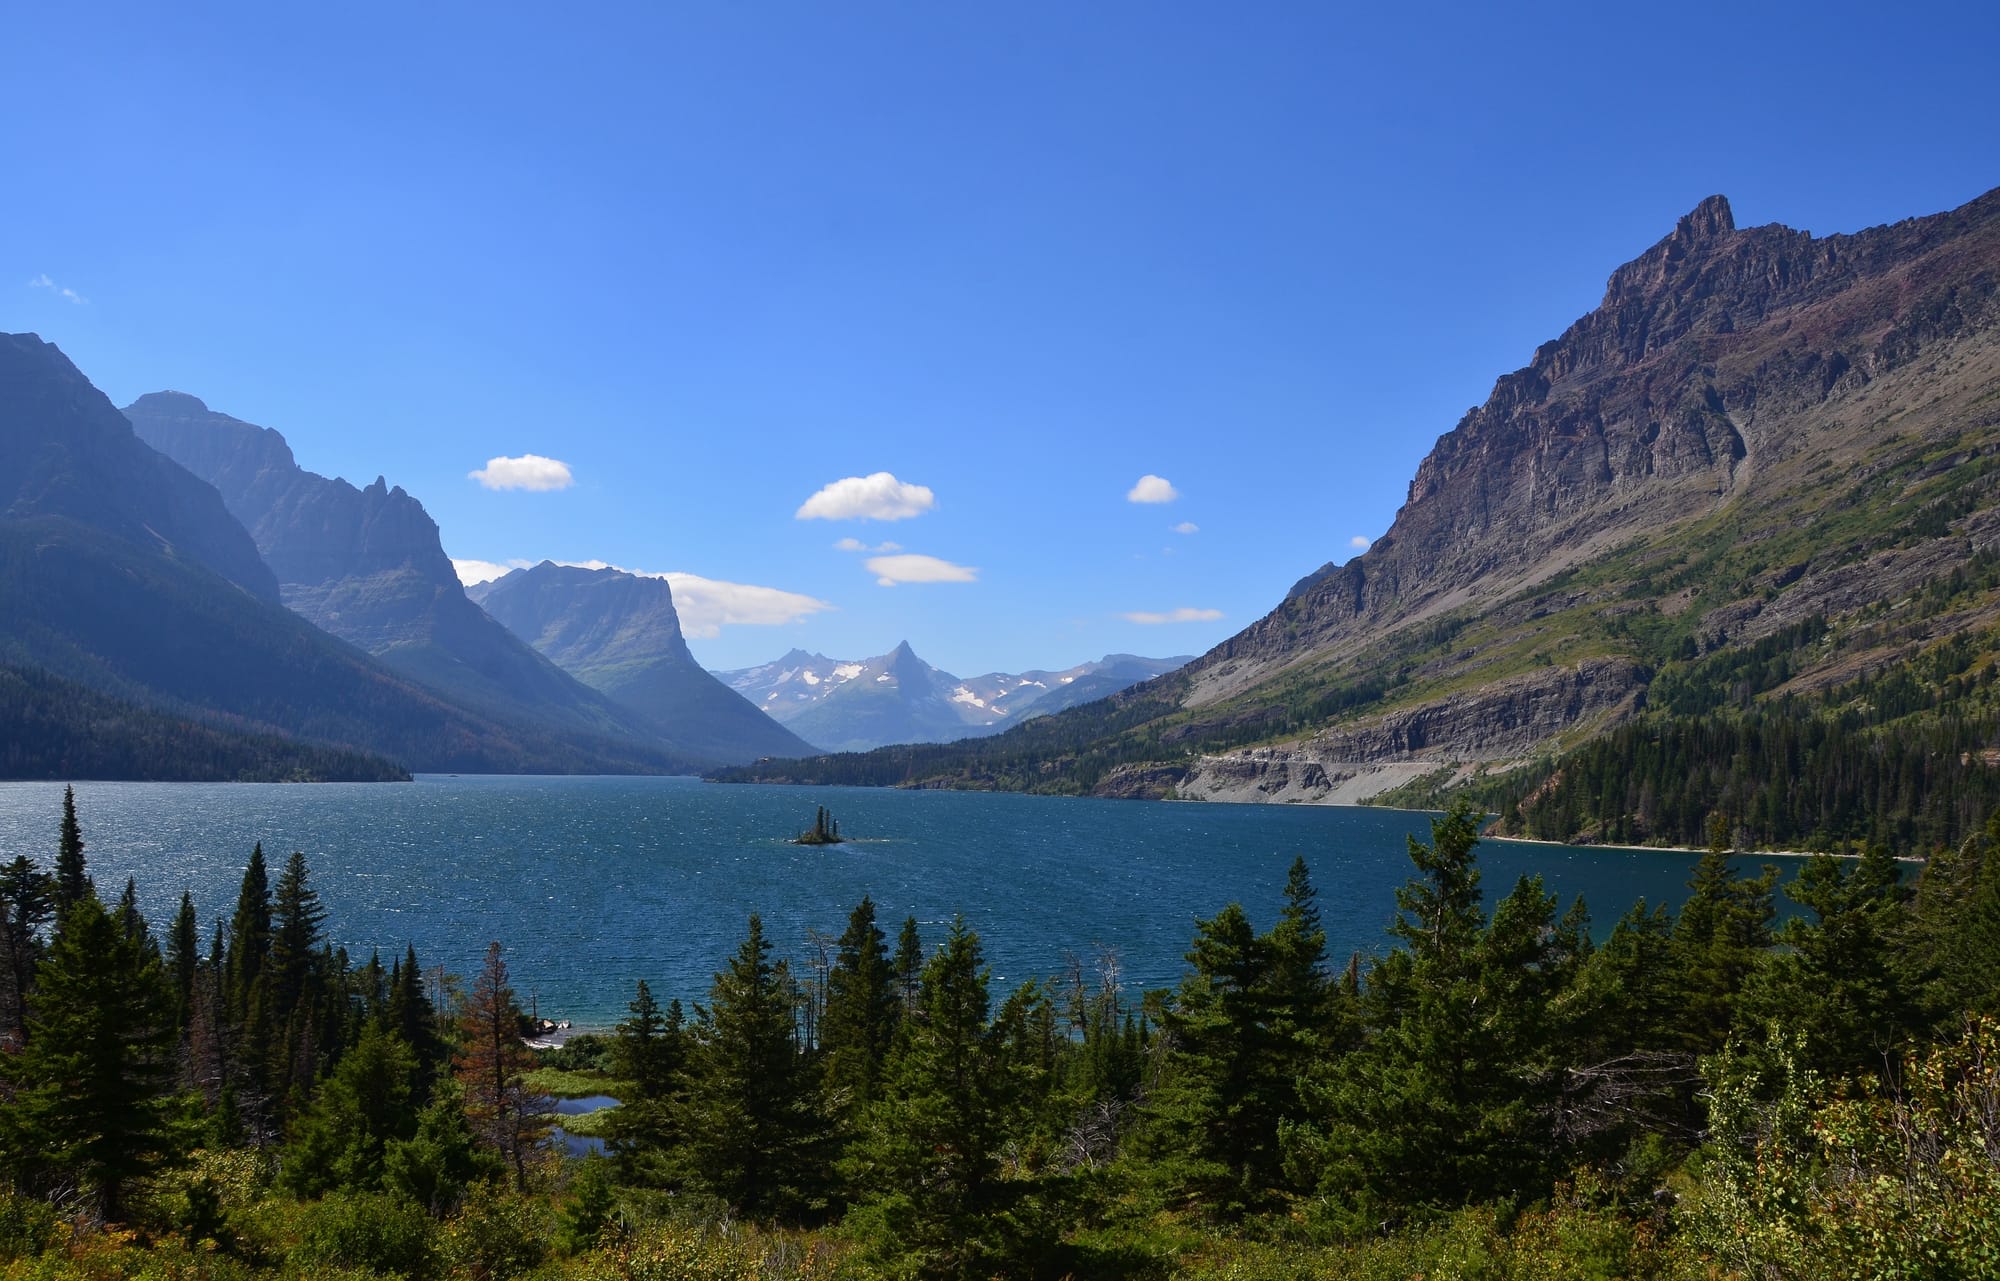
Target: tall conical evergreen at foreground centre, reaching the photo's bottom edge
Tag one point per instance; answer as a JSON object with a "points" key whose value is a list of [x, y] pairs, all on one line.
{"points": [[929, 1158]]}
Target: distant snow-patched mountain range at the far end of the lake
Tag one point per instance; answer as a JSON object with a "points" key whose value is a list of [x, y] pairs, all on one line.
{"points": [[853, 706]]}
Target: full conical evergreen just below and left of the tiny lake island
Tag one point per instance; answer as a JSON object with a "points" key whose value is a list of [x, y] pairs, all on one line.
{"points": [[751, 1128]]}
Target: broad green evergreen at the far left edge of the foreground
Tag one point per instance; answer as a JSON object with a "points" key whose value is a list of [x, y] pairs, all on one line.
{"points": [[93, 1088]]}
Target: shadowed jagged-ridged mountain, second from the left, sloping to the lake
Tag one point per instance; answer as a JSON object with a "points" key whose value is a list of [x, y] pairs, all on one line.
{"points": [[367, 565]]}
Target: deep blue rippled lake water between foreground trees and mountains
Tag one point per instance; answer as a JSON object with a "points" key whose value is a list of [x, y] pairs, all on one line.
{"points": [[595, 884]]}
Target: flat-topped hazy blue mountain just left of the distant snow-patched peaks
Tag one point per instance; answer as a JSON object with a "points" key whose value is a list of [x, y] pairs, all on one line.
{"points": [[621, 635]]}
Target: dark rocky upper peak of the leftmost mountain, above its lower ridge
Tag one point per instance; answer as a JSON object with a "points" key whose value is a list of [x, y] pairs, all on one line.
{"points": [[67, 451]]}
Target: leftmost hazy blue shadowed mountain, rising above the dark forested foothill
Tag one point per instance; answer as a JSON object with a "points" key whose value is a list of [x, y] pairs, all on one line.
{"points": [[127, 575]]}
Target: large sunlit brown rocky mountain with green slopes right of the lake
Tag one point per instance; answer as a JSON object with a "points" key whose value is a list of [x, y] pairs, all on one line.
{"points": [[1757, 429]]}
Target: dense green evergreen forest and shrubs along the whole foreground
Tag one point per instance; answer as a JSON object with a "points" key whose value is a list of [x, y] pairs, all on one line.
{"points": [[1697, 1094]]}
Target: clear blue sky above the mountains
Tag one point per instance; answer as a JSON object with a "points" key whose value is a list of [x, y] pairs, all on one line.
{"points": [[715, 259]]}
